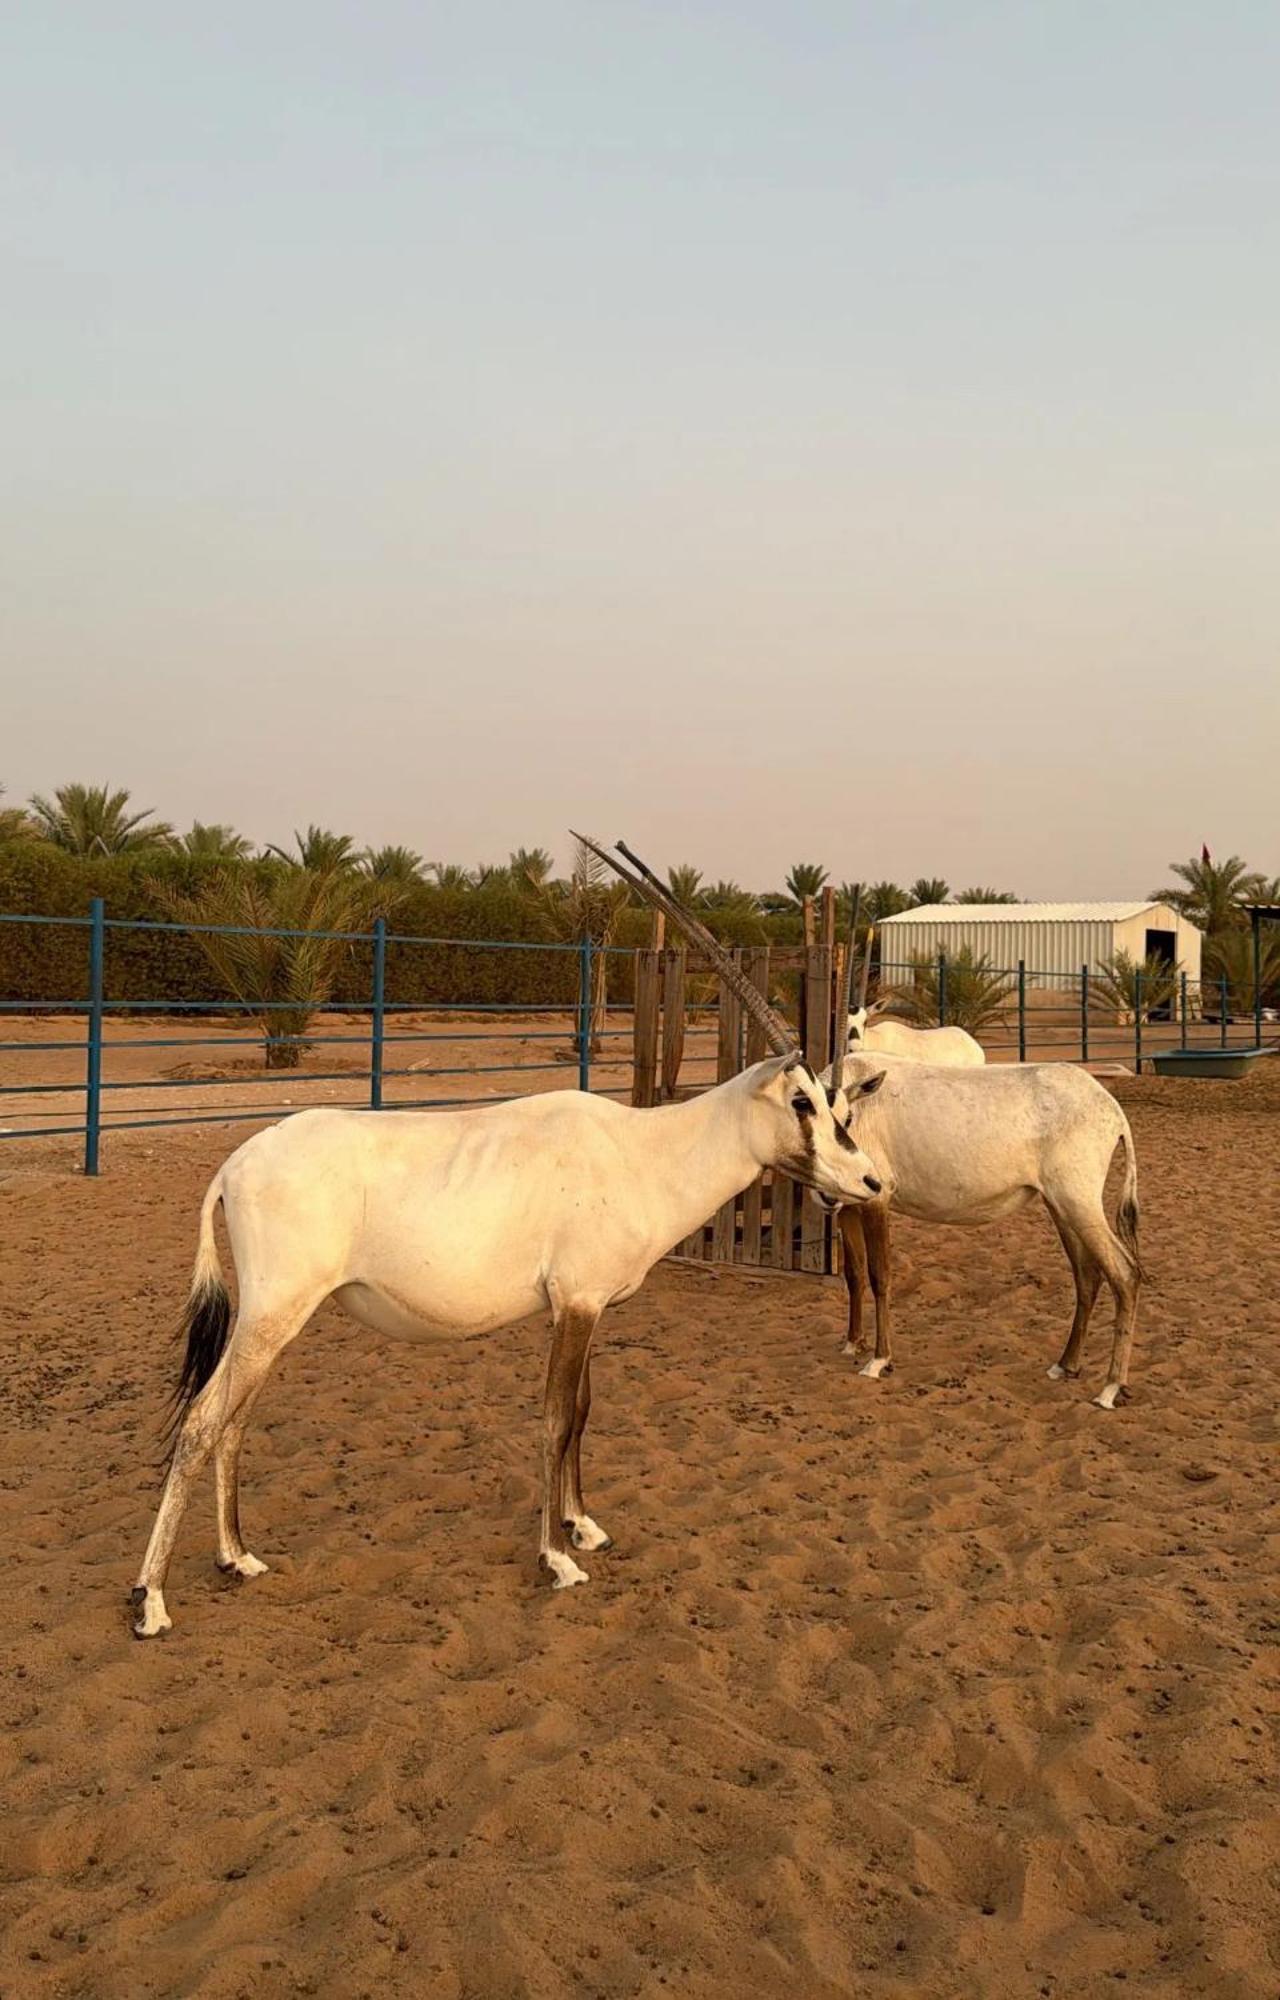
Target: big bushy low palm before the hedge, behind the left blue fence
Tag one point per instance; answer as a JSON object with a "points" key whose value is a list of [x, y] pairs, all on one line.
{"points": [[285, 977]]}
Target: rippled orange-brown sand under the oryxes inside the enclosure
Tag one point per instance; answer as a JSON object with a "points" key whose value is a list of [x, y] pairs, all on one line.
{"points": [[941, 1687]]}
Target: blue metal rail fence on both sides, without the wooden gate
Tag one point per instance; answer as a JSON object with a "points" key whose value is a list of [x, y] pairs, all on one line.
{"points": [[1035, 1017]]}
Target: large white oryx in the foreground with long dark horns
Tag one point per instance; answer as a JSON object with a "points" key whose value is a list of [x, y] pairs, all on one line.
{"points": [[459, 1223]]}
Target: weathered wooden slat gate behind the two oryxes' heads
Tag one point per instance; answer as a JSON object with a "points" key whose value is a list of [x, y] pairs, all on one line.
{"points": [[681, 1005]]}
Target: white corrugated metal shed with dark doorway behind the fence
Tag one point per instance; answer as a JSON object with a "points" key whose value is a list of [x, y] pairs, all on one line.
{"points": [[1053, 939]]}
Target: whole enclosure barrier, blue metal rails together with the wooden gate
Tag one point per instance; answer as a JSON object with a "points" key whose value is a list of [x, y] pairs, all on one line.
{"points": [[641, 1025]]}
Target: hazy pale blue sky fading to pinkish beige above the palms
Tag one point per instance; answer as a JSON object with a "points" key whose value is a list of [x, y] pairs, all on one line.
{"points": [[765, 431]]}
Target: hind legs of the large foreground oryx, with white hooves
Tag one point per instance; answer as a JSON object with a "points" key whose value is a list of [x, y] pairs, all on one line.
{"points": [[259, 1339]]}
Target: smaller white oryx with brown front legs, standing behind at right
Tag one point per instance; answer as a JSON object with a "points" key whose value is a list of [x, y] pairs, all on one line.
{"points": [[973, 1145]]}
